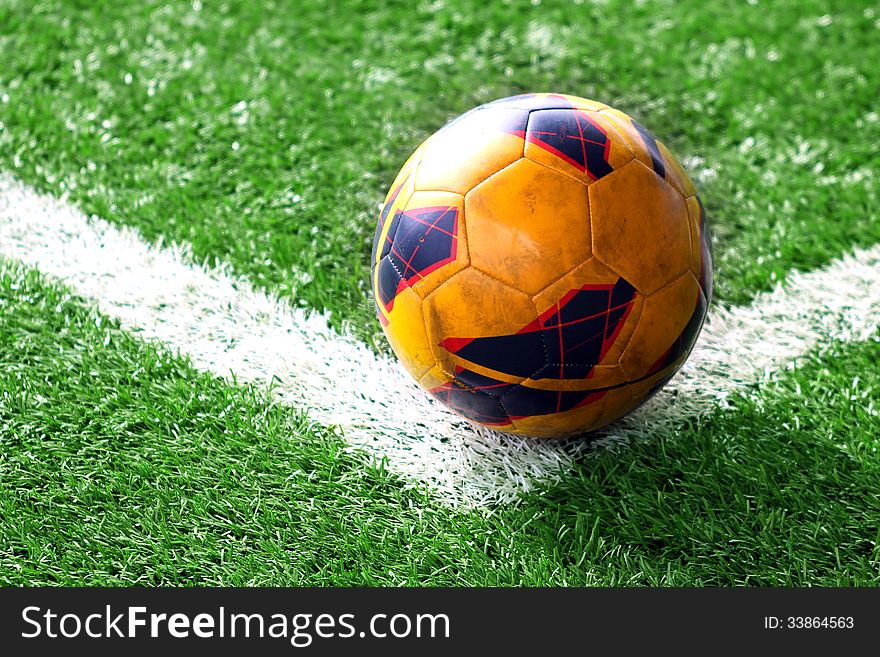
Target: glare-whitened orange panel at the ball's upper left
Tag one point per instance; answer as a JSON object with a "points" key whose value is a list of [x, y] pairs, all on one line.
{"points": [[471, 149]]}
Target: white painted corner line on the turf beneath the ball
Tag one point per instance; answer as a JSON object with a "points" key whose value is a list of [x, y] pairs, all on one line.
{"points": [[227, 327]]}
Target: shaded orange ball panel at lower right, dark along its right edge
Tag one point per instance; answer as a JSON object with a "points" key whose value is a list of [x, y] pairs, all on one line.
{"points": [[667, 329]]}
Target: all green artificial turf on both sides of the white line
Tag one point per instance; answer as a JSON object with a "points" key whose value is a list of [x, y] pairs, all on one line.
{"points": [[266, 137]]}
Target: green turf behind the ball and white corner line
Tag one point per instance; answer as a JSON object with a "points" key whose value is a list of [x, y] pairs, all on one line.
{"points": [[136, 108]]}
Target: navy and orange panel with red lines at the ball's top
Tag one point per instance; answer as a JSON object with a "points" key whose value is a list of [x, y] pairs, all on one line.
{"points": [[577, 143]]}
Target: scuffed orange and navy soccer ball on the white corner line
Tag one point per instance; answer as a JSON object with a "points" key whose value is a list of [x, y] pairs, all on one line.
{"points": [[542, 265]]}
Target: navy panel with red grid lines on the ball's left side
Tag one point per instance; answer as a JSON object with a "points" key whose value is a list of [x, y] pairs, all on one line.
{"points": [[423, 244]]}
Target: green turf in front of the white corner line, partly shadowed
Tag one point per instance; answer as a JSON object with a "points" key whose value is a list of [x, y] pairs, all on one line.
{"points": [[123, 465]]}
